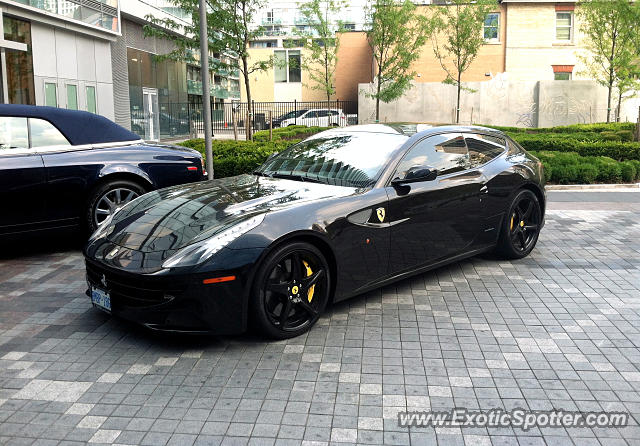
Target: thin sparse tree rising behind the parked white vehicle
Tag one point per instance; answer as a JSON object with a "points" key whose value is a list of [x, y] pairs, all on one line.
{"points": [[321, 43]]}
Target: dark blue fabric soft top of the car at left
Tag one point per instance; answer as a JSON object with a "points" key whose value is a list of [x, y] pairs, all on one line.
{"points": [[79, 127]]}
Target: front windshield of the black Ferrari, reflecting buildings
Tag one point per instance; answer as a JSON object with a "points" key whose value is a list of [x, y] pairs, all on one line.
{"points": [[347, 159]]}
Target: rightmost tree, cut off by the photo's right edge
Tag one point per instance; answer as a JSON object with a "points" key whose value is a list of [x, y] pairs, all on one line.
{"points": [[610, 30]]}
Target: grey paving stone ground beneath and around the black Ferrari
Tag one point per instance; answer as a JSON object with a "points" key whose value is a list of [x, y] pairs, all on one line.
{"points": [[560, 329]]}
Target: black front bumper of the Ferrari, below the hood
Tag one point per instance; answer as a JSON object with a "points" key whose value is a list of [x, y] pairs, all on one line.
{"points": [[174, 302]]}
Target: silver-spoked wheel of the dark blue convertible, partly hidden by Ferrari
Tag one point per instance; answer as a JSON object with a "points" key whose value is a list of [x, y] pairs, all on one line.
{"points": [[128, 190]]}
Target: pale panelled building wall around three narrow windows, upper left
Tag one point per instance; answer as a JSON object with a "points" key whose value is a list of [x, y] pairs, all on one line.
{"points": [[65, 57]]}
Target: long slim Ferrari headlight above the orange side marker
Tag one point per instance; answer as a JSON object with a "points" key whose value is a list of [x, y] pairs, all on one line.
{"points": [[199, 252]]}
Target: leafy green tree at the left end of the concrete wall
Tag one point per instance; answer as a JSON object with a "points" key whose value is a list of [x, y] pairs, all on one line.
{"points": [[395, 36]]}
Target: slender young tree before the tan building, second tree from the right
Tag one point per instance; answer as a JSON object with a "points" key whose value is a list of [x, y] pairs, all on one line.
{"points": [[458, 37]]}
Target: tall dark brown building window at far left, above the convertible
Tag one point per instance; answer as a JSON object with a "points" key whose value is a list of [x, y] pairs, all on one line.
{"points": [[20, 85]]}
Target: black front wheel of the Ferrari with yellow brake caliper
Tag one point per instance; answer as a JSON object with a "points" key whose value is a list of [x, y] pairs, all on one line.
{"points": [[279, 287]]}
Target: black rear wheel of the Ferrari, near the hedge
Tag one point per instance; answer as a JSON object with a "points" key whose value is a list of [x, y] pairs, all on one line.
{"points": [[520, 227]]}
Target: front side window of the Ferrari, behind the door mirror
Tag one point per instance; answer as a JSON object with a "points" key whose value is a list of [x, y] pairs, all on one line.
{"points": [[447, 153]]}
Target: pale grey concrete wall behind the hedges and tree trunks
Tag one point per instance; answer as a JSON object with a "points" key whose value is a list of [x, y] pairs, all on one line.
{"points": [[497, 102]]}
